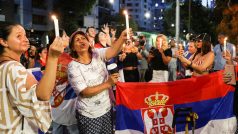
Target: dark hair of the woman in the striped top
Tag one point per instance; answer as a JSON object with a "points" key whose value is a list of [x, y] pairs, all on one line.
{"points": [[5, 30]]}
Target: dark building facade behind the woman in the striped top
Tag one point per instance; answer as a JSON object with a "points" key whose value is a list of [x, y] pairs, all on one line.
{"points": [[33, 15]]}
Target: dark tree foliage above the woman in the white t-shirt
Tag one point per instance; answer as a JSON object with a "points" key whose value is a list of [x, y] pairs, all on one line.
{"points": [[71, 12]]}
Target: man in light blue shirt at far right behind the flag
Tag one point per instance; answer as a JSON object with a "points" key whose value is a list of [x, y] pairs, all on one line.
{"points": [[220, 62]]}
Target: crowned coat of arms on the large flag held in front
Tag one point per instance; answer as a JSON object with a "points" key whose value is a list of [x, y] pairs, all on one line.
{"points": [[158, 116]]}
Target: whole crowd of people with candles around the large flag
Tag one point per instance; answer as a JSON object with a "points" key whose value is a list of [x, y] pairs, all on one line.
{"points": [[25, 100]]}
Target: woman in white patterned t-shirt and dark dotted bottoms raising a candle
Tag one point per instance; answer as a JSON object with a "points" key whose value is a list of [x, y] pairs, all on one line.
{"points": [[88, 76]]}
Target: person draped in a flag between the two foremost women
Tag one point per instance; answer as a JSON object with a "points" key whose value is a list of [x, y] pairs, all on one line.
{"points": [[63, 97]]}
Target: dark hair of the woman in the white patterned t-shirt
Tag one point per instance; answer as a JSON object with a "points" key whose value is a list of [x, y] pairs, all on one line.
{"points": [[71, 44]]}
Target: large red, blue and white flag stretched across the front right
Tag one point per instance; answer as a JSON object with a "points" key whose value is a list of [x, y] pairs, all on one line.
{"points": [[150, 107]]}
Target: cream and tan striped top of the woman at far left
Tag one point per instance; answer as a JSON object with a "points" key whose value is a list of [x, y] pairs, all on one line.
{"points": [[16, 102]]}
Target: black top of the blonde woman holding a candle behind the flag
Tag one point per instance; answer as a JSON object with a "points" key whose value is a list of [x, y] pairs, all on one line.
{"points": [[157, 62]]}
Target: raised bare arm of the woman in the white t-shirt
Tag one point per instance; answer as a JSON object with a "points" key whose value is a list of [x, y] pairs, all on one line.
{"points": [[116, 47]]}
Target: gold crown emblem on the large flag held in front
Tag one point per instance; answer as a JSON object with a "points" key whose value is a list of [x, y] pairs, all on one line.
{"points": [[156, 99]]}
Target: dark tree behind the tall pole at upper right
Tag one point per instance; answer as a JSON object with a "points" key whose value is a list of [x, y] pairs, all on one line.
{"points": [[200, 19]]}
